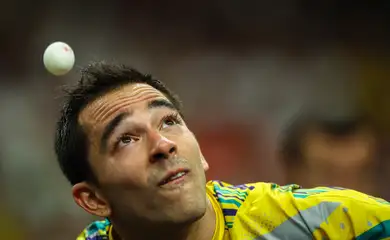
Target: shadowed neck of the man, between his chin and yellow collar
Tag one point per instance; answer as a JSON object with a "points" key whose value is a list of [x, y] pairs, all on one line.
{"points": [[201, 229]]}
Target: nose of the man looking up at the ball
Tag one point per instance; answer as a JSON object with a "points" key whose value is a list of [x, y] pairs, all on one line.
{"points": [[162, 148]]}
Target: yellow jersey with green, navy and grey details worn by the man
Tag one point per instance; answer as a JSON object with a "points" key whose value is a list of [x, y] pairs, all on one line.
{"points": [[267, 211]]}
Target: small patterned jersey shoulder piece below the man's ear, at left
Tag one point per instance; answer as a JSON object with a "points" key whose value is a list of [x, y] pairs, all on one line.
{"points": [[98, 230]]}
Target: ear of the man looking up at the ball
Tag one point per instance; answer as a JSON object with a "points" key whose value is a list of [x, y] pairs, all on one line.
{"points": [[89, 199]]}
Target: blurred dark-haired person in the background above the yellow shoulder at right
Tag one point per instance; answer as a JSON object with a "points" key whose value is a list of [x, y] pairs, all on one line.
{"points": [[317, 150]]}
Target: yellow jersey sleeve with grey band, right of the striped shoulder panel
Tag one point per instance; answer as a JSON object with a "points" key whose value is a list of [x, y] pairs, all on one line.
{"points": [[290, 212]]}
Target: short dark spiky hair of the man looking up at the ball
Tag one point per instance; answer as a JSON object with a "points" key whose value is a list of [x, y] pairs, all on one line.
{"points": [[97, 79]]}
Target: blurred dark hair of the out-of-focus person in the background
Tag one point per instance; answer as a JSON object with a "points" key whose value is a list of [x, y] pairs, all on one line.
{"points": [[290, 144]]}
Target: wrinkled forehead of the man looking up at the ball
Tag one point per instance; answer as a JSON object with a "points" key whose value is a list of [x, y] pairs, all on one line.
{"points": [[116, 101]]}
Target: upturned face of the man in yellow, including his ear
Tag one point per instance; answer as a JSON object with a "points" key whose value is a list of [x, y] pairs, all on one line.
{"points": [[147, 162]]}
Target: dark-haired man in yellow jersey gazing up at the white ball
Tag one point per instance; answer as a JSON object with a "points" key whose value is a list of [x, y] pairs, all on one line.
{"points": [[124, 146]]}
